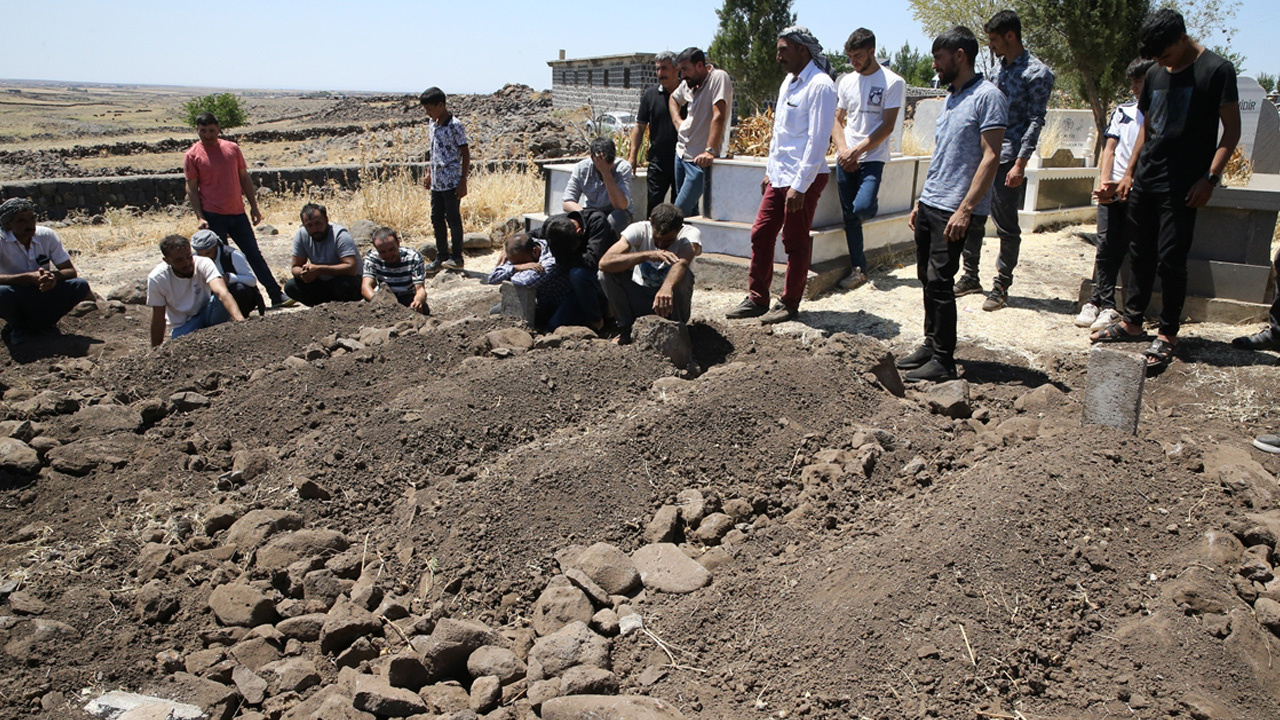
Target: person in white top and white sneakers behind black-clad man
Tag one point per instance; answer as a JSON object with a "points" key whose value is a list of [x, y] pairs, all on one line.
{"points": [[1113, 236]]}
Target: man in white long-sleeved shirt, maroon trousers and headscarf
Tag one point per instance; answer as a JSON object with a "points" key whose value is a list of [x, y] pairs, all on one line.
{"points": [[794, 179]]}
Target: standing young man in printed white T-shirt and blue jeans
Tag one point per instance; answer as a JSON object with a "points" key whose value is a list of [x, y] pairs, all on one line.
{"points": [[868, 102]]}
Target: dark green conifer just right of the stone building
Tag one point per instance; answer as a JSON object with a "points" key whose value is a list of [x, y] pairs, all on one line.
{"points": [[746, 45]]}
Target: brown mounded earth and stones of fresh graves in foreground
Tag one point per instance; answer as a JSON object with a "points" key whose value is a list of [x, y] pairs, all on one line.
{"points": [[359, 513]]}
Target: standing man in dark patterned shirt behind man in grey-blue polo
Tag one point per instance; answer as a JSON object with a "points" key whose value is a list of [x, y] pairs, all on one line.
{"points": [[1027, 85]]}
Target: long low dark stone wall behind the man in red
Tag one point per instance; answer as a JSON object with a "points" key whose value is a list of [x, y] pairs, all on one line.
{"points": [[61, 198]]}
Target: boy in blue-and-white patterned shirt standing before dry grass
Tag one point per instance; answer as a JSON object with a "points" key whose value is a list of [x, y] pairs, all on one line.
{"points": [[446, 177]]}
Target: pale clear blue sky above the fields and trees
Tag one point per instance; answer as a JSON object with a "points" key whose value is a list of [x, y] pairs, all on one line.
{"points": [[408, 45]]}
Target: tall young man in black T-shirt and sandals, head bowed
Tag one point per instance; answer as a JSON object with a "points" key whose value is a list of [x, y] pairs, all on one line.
{"points": [[1180, 161]]}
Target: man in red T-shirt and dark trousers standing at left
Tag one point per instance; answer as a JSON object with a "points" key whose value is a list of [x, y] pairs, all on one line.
{"points": [[217, 177]]}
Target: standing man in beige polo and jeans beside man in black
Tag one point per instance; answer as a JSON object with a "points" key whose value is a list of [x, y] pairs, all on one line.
{"points": [[700, 108]]}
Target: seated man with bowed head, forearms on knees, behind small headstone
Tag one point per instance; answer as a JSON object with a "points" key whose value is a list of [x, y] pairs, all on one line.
{"points": [[648, 271]]}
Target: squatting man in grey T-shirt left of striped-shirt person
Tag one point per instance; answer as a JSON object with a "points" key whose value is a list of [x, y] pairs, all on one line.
{"points": [[326, 261]]}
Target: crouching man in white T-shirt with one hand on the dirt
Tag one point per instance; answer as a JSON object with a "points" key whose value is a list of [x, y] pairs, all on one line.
{"points": [[188, 291]]}
